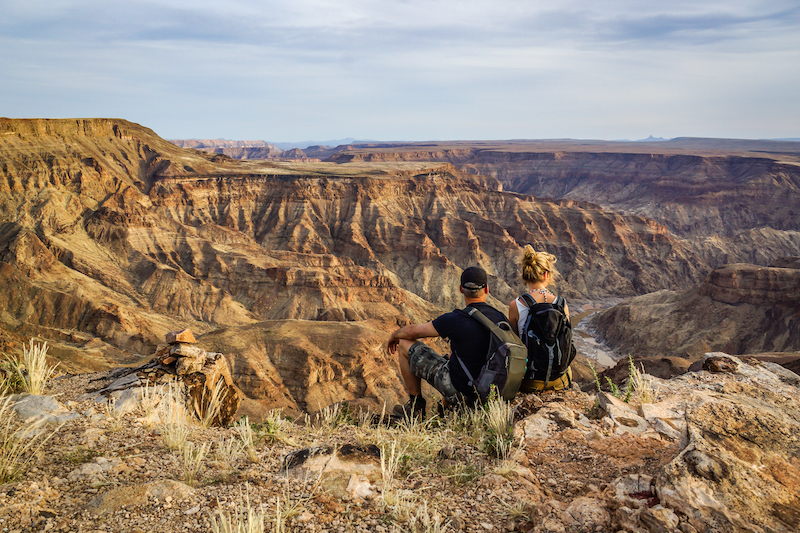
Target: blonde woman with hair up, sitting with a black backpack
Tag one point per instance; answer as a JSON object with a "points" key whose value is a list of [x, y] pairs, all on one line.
{"points": [[542, 320]]}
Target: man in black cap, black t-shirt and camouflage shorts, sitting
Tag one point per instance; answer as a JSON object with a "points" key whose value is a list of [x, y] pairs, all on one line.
{"points": [[469, 343]]}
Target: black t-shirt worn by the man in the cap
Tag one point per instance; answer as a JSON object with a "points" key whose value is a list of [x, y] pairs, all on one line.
{"points": [[469, 339]]}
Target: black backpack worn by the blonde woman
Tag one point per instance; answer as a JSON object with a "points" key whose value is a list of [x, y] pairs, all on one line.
{"points": [[548, 336]]}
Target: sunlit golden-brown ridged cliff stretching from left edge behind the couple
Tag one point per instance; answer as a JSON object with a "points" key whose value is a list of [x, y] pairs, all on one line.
{"points": [[111, 236]]}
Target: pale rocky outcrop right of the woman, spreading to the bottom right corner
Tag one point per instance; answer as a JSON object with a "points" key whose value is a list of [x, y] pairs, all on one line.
{"points": [[735, 466]]}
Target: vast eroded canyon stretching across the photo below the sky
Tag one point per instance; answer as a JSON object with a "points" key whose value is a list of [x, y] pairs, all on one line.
{"points": [[298, 269]]}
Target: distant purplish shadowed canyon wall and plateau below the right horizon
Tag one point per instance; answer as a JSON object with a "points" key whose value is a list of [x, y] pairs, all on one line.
{"points": [[737, 201]]}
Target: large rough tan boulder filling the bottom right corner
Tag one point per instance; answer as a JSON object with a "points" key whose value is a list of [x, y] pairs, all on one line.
{"points": [[743, 447]]}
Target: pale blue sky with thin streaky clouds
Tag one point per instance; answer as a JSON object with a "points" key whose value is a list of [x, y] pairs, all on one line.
{"points": [[410, 70]]}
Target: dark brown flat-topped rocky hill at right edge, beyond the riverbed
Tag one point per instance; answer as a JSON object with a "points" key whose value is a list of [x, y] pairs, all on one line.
{"points": [[738, 308]]}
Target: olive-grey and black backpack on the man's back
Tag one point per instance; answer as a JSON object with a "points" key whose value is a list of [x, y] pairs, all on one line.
{"points": [[505, 360]]}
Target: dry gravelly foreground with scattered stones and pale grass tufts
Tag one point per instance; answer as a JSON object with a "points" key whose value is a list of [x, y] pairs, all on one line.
{"points": [[114, 473]]}
